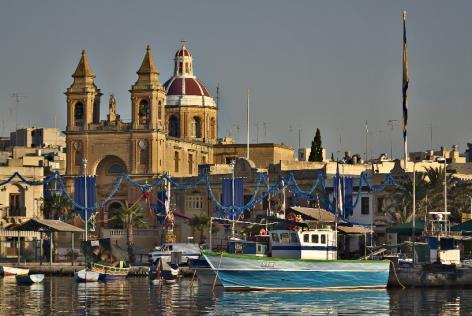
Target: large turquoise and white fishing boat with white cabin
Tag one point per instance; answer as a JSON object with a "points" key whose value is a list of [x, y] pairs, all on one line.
{"points": [[294, 260]]}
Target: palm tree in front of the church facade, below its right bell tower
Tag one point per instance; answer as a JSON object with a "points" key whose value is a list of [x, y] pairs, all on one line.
{"points": [[129, 218]]}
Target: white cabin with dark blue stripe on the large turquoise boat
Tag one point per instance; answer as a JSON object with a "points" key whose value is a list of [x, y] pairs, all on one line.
{"points": [[317, 244]]}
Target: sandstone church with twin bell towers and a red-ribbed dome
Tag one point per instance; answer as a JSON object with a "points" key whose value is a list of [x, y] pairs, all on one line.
{"points": [[173, 130]]}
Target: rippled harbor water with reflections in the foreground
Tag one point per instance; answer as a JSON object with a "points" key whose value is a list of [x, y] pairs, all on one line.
{"points": [[136, 296]]}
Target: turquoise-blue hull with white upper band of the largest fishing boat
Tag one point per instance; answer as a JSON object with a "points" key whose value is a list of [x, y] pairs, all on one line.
{"points": [[249, 273]]}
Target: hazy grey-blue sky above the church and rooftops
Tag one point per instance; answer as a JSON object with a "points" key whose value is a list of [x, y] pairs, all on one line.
{"points": [[326, 64]]}
